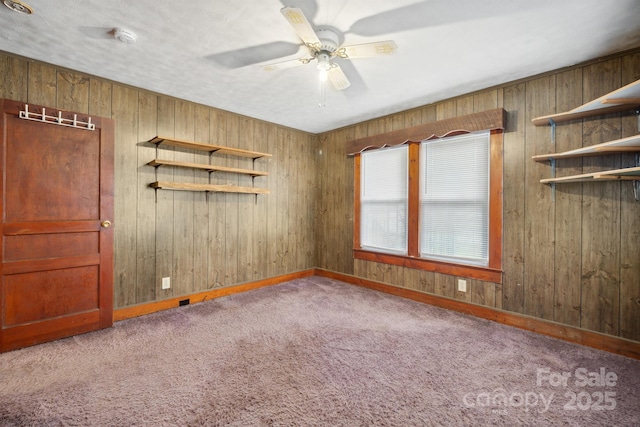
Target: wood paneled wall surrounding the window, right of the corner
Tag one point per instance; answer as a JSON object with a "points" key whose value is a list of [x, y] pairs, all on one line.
{"points": [[574, 259]]}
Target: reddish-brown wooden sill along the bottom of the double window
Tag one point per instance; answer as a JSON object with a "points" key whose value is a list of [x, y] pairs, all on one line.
{"points": [[487, 274]]}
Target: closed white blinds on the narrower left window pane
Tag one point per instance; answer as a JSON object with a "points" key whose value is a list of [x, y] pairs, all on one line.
{"points": [[383, 200]]}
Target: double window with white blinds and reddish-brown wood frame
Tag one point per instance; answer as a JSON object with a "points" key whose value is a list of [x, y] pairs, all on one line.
{"points": [[433, 205]]}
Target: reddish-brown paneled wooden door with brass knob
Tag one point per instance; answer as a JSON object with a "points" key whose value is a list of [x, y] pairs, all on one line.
{"points": [[57, 242]]}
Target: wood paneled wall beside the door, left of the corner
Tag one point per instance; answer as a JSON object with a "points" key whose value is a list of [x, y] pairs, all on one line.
{"points": [[201, 241]]}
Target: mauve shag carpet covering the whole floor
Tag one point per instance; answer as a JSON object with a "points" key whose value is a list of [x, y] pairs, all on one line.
{"points": [[315, 352]]}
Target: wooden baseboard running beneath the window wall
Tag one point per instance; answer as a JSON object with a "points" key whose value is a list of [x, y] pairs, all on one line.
{"points": [[572, 334]]}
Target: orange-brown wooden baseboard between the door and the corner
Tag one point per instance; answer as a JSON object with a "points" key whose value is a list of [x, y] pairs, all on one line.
{"points": [[154, 306]]}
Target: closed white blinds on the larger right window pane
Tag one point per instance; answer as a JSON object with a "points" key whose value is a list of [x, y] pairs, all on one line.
{"points": [[454, 199]]}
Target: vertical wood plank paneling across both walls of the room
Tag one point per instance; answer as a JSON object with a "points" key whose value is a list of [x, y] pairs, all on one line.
{"points": [[574, 259]]}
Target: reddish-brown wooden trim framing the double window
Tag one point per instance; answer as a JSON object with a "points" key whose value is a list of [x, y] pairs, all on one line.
{"points": [[492, 272]]}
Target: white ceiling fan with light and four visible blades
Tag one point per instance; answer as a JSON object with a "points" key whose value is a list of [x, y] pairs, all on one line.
{"points": [[324, 45]]}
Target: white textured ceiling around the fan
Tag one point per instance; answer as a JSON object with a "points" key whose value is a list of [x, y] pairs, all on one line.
{"points": [[210, 51]]}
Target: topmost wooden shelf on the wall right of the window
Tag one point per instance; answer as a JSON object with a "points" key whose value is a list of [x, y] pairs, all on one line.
{"points": [[623, 99]]}
